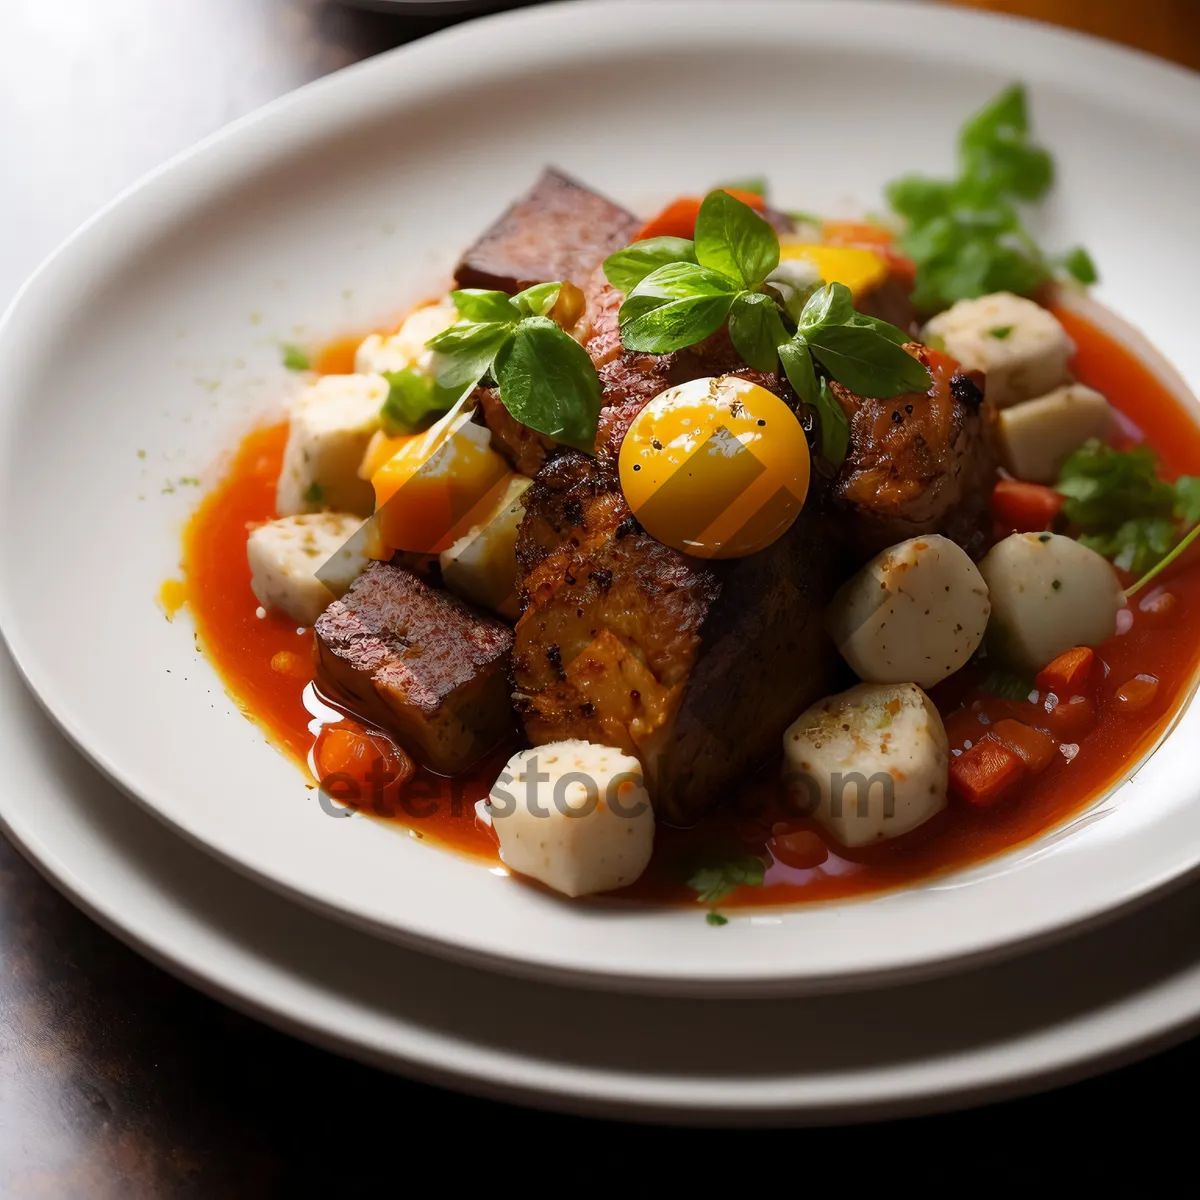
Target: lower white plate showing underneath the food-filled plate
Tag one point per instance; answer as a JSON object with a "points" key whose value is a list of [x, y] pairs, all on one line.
{"points": [[1096, 1000]]}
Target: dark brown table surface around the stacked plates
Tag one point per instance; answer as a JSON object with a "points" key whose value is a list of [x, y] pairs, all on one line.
{"points": [[119, 1082]]}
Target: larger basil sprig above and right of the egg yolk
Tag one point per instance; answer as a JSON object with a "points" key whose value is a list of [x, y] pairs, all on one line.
{"points": [[681, 292]]}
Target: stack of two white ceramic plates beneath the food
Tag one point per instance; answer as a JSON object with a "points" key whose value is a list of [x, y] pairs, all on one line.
{"points": [[143, 349]]}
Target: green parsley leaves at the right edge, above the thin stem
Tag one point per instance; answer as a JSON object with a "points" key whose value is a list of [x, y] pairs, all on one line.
{"points": [[1121, 507]]}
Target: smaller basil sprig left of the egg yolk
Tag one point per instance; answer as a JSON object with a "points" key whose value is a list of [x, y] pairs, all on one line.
{"points": [[545, 379]]}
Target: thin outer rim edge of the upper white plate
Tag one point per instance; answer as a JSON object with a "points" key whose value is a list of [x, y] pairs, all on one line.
{"points": [[271, 117]]}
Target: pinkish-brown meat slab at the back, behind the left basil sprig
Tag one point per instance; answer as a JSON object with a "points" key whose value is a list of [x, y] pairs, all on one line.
{"points": [[561, 231]]}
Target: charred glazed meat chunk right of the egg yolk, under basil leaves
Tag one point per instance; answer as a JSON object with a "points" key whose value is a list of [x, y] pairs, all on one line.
{"points": [[920, 464]]}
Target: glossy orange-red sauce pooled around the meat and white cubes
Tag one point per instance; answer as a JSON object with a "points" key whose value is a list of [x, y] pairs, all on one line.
{"points": [[267, 665]]}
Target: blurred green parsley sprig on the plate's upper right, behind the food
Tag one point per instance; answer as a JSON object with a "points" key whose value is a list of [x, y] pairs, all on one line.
{"points": [[967, 236]]}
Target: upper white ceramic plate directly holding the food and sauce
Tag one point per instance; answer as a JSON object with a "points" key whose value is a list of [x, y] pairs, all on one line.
{"points": [[154, 331]]}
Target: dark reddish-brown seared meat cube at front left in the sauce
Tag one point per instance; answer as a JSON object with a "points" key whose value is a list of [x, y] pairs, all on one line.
{"points": [[421, 663]]}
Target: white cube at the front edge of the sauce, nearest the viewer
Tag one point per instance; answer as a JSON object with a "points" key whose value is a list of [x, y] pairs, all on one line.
{"points": [[575, 817]]}
